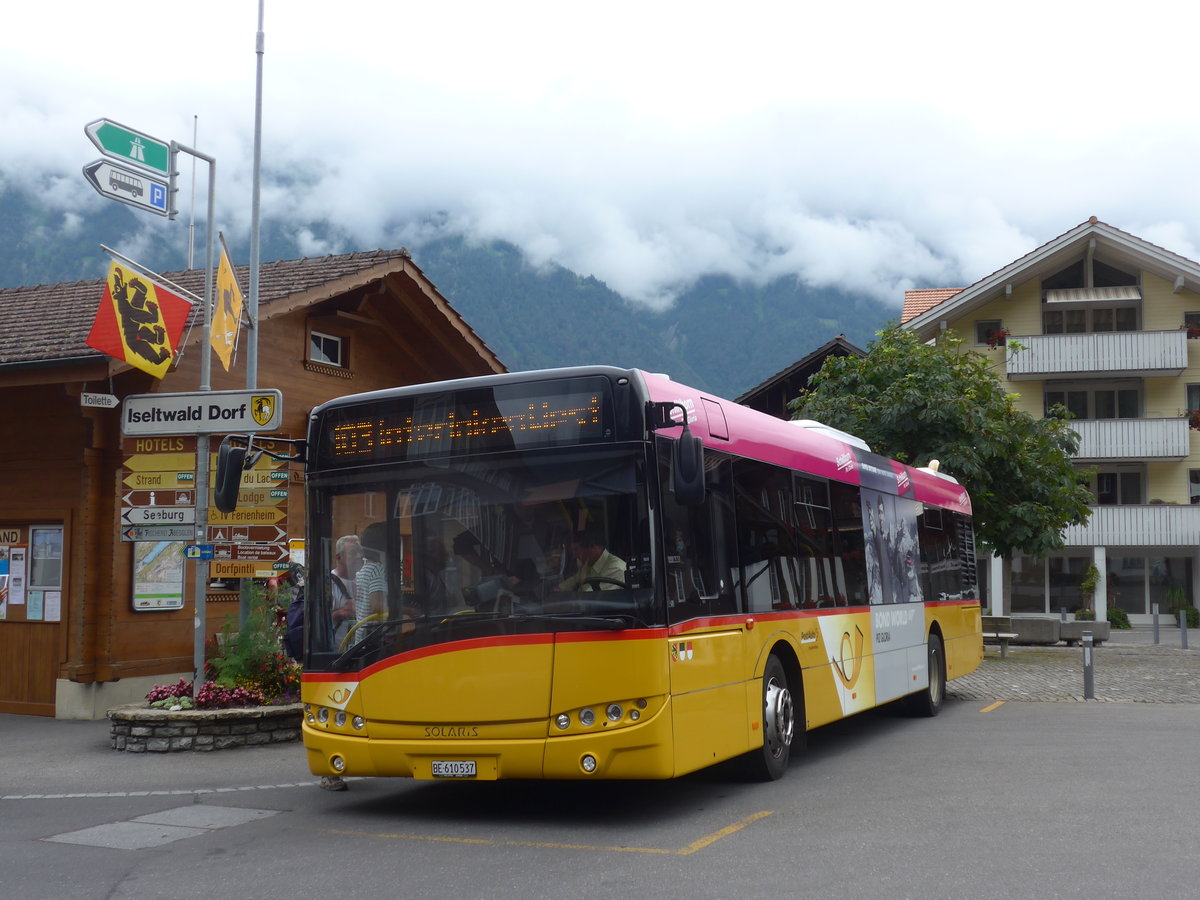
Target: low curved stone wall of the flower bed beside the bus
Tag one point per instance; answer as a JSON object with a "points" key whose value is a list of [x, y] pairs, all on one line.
{"points": [[139, 729]]}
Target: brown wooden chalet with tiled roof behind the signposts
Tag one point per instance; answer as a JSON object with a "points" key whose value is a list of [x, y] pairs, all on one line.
{"points": [[73, 641]]}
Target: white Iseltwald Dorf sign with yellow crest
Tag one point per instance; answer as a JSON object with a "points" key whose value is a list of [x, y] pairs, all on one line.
{"points": [[203, 412]]}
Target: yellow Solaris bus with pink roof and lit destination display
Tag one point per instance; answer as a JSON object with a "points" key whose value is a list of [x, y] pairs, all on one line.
{"points": [[599, 573]]}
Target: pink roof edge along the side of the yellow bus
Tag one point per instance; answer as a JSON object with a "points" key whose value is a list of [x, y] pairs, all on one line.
{"points": [[742, 431]]}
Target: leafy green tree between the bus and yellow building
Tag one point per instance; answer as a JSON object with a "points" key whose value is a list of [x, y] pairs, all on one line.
{"points": [[917, 401]]}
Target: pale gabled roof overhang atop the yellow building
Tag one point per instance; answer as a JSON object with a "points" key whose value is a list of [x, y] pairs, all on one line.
{"points": [[1102, 242]]}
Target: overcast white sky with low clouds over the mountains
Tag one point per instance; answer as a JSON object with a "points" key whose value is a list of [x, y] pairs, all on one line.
{"points": [[875, 146]]}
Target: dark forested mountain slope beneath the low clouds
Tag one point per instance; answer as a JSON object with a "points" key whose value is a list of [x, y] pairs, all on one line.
{"points": [[723, 337]]}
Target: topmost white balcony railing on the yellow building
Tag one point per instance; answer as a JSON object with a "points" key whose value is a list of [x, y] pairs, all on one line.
{"points": [[1099, 355]]}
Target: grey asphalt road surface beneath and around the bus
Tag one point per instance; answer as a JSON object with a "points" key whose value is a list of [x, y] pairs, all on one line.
{"points": [[994, 799]]}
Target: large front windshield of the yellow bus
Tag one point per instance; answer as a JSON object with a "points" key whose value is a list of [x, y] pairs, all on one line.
{"points": [[435, 551]]}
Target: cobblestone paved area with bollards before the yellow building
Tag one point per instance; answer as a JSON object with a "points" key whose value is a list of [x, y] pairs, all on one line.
{"points": [[1129, 668]]}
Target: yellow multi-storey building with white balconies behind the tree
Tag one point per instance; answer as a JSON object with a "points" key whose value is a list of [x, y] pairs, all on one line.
{"points": [[1100, 321]]}
